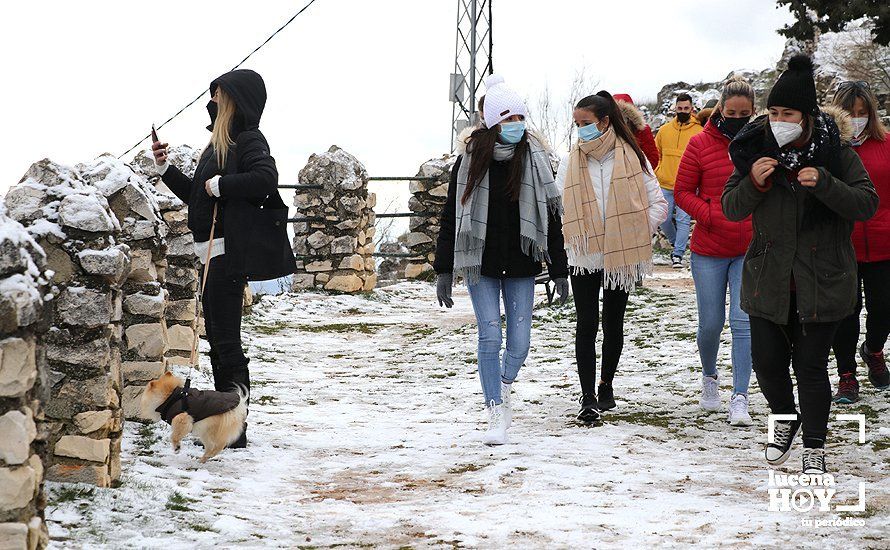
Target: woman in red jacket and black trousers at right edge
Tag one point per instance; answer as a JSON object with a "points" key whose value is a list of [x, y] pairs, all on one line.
{"points": [[871, 239]]}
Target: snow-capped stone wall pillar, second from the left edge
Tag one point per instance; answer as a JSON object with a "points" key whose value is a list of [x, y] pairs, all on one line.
{"points": [[76, 227]]}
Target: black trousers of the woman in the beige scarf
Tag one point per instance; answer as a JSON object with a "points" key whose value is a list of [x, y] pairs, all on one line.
{"points": [[586, 289]]}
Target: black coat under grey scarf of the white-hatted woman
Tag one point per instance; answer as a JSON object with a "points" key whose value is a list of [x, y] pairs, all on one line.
{"points": [[503, 257]]}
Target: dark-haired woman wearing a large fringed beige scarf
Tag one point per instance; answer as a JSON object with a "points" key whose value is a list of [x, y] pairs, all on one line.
{"points": [[613, 205]]}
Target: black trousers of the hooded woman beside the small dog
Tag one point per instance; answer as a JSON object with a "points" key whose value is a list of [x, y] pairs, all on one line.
{"points": [[222, 304]]}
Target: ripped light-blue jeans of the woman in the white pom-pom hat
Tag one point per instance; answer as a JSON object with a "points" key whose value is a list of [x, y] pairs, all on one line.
{"points": [[519, 301]]}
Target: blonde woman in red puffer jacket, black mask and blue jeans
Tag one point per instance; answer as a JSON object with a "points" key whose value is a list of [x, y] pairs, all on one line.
{"points": [[718, 247]]}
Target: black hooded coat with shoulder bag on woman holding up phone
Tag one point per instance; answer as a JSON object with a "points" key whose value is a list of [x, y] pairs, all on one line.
{"points": [[252, 215]]}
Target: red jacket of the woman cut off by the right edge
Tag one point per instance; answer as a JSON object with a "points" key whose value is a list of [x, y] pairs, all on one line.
{"points": [[871, 238]]}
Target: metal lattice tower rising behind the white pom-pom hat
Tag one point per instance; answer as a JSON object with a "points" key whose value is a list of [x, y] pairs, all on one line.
{"points": [[472, 61]]}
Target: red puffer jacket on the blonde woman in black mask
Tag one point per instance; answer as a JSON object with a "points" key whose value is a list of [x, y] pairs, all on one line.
{"points": [[703, 172]]}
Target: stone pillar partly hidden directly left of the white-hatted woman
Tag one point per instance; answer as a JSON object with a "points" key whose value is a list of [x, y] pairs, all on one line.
{"points": [[426, 202]]}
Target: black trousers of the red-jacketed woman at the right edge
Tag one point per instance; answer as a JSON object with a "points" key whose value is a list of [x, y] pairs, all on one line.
{"points": [[874, 278]]}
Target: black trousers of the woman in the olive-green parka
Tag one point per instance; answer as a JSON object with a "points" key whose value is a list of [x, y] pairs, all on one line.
{"points": [[806, 347]]}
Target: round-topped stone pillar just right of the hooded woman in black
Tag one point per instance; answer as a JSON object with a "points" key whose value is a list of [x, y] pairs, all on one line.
{"points": [[334, 248]]}
